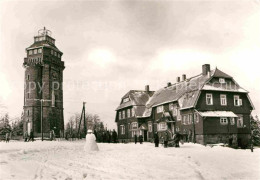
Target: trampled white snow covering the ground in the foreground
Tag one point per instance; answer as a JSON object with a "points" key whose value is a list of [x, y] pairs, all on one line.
{"points": [[67, 160]]}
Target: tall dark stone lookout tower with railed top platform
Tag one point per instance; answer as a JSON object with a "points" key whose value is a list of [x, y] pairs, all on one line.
{"points": [[43, 80]]}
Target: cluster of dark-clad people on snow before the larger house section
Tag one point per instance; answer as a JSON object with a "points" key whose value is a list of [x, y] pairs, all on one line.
{"points": [[166, 138]]}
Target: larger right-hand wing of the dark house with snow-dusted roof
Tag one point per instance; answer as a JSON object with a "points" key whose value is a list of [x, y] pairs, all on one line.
{"points": [[208, 108]]}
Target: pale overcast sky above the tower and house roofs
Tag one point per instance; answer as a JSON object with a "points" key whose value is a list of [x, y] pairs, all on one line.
{"points": [[111, 47]]}
